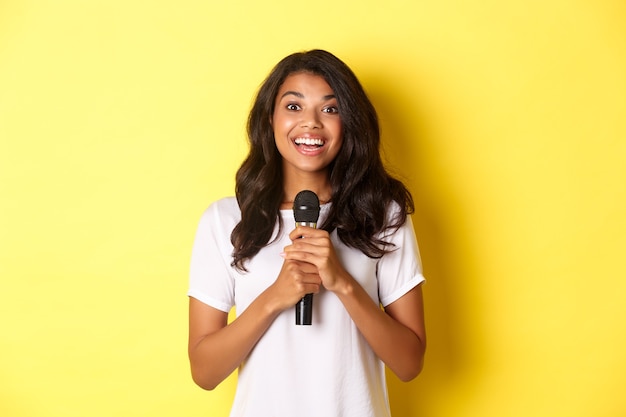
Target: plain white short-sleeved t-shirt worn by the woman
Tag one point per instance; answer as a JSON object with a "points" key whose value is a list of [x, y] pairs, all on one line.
{"points": [[326, 369]]}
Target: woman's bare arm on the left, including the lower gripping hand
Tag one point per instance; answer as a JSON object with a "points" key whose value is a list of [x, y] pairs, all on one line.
{"points": [[216, 348]]}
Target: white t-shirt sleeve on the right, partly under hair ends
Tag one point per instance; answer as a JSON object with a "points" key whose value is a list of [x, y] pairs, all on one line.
{"points": [[400, 271]]}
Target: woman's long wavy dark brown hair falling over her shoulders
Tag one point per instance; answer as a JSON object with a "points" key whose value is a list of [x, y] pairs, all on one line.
{"points": [[362, 190]]}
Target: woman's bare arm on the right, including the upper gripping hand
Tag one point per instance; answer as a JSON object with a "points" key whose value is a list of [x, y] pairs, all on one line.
{"points": [[397, 335]]}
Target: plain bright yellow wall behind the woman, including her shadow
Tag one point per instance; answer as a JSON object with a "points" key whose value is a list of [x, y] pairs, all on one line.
{"points": [[120, 121]]}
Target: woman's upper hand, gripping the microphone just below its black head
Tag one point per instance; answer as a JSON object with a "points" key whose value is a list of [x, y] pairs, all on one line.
{"points": [[315, 247]]}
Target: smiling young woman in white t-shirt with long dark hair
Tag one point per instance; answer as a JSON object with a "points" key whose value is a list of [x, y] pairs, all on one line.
{"points": [[311, 127]]}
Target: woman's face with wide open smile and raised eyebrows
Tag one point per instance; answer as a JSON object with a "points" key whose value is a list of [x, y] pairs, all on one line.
{"points": [[306, 122]]}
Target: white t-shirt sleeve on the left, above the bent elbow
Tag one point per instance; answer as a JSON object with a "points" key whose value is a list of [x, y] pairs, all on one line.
{"points": [[210, 276]]}
